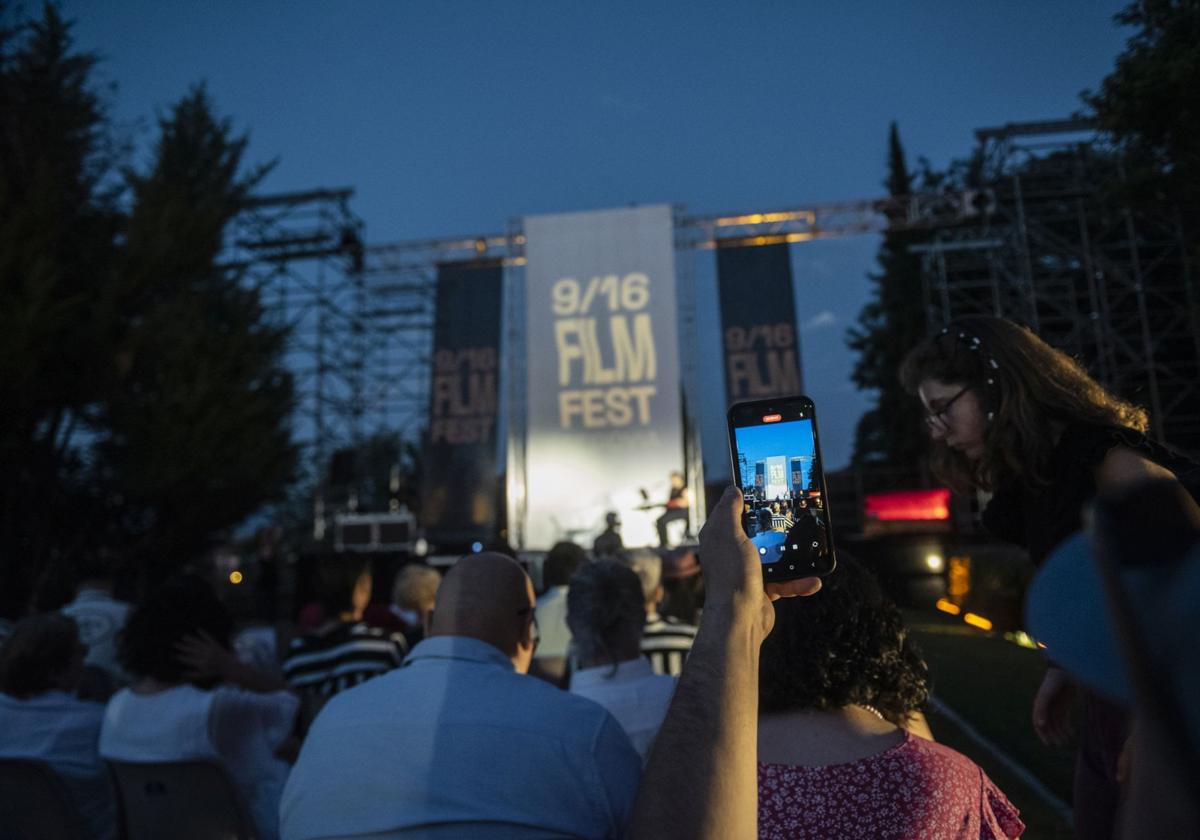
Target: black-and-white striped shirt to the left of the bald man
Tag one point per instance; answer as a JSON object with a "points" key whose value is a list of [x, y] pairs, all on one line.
{"points": [[341, 658]]}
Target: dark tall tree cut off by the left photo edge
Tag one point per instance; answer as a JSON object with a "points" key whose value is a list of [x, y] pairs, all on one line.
{"points": [[57, 257]]}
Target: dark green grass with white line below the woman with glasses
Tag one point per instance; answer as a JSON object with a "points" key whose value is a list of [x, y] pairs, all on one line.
{"points": [[991, 683]]}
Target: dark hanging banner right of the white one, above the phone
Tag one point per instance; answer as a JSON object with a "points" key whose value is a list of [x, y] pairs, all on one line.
{"points": [[763, 352]]}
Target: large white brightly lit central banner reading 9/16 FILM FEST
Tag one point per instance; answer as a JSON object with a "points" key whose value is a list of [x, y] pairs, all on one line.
{"points": [[605, 428]]}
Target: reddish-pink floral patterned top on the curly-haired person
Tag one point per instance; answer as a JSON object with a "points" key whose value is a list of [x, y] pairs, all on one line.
{"points": [[916, 790]]}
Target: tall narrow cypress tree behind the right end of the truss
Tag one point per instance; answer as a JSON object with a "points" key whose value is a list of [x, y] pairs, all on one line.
{"points": [[891, 435]]}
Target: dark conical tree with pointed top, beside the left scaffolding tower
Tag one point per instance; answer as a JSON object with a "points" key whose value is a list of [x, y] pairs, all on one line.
{"points": [[196, 433]]}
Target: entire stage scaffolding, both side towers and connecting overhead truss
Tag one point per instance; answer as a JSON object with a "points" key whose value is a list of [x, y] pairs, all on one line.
{"points": [[1045, 241]]}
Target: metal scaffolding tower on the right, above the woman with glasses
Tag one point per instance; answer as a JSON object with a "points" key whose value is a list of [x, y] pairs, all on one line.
{"points": [[1047, 241]]}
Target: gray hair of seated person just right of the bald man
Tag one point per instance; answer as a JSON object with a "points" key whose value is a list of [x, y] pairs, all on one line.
{"points": [[605, 613]]}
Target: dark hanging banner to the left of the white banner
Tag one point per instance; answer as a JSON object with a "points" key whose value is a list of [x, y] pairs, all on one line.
{"points": [[460, 482]]}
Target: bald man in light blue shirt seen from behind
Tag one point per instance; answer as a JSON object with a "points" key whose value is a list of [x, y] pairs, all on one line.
{"points": [[459, 742]]}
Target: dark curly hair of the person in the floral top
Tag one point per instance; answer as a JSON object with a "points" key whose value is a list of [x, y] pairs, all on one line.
{"points": [[843, 646]]}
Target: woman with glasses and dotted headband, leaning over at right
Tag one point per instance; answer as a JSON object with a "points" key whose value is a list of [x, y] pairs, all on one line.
{"points": [[1013, 417]]}
